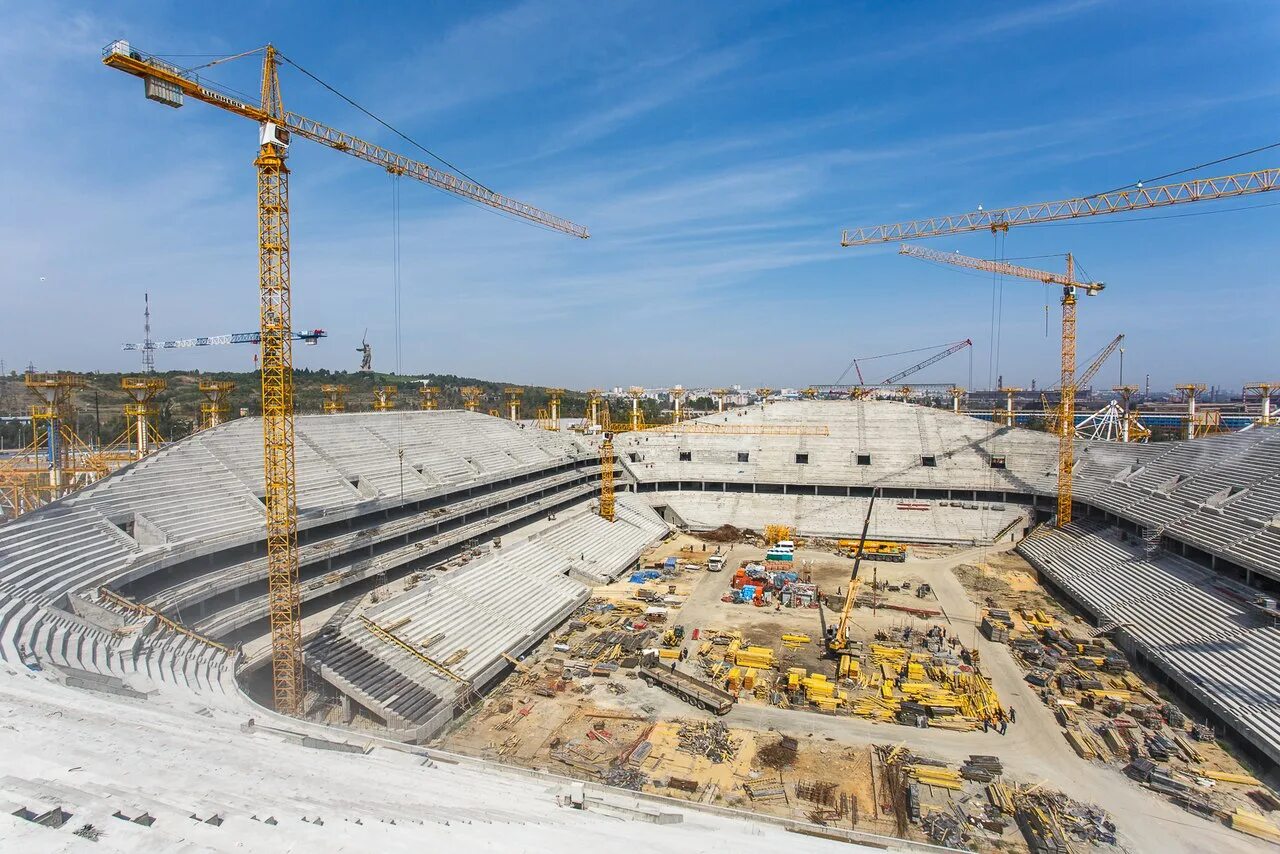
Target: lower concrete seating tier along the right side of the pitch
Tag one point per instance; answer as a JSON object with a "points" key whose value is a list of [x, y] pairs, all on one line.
{"points": [[1182, 619]]}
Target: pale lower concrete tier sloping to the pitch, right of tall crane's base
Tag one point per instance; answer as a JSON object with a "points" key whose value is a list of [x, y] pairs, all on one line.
{"points": [[474, 619]]}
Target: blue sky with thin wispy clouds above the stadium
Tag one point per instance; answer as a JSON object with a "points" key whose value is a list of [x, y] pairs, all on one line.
{"points": [[715, 150]]}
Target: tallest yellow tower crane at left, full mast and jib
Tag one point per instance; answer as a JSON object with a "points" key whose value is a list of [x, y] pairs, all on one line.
{"points": [[171, 86]]}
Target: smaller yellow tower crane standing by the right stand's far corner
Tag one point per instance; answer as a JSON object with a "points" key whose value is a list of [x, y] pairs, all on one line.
{"points": [[1067, 409]]}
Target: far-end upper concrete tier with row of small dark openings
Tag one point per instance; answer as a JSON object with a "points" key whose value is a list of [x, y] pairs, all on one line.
{"points": [[907, 451]]}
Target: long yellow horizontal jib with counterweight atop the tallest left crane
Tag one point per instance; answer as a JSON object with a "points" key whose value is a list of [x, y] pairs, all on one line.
{"points": [[166, 81]]}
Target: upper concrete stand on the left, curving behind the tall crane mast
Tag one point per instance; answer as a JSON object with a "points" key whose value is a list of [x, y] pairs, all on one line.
{"points": [[182, 531]]}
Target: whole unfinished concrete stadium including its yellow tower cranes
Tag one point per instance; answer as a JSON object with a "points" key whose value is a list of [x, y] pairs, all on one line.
{"points": [[876, 616]]}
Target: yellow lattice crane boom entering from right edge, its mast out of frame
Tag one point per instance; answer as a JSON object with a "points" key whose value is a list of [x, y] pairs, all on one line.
{"points": [[1116, 203]]}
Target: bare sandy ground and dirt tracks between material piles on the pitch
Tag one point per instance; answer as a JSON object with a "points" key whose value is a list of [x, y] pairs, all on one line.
{"points": [[586, 729]]}
